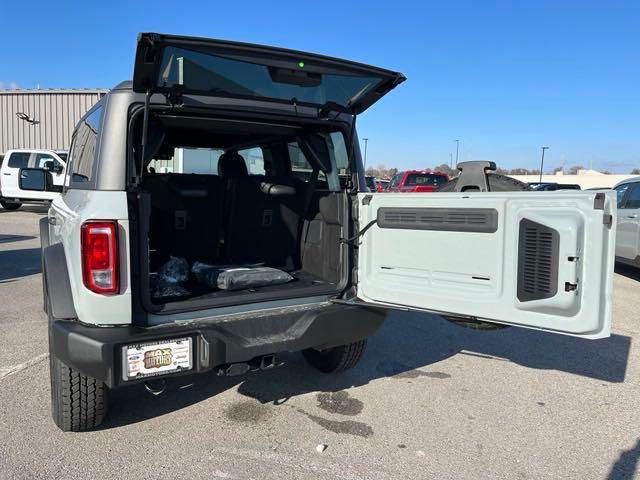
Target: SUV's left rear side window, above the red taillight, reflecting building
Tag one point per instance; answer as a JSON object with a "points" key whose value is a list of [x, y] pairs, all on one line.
{"points": [[84, 148]]}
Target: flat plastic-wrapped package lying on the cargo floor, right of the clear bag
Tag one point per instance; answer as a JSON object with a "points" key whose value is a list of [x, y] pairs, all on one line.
{"points": [[233, 277]]}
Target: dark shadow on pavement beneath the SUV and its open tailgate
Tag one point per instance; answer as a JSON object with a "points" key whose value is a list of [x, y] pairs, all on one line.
{"points": [[406, 343]]}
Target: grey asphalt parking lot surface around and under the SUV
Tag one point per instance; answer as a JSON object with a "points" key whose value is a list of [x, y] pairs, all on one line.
{"points": [[429, 400]]}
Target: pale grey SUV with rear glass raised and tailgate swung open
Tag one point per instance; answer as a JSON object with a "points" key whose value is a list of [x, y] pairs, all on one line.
{"points": [[149, 275]]}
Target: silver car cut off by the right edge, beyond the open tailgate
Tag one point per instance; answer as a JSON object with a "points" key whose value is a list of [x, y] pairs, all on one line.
{"points": [[628, 224]]}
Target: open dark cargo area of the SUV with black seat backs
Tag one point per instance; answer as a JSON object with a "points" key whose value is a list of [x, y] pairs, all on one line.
{"points": [[243, 225]]}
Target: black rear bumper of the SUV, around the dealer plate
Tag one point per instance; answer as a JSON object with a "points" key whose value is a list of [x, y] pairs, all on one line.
{"points": [[97, 351]]}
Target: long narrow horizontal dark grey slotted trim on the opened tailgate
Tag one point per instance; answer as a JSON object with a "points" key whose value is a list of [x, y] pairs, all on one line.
{"points": [[477, 220]]}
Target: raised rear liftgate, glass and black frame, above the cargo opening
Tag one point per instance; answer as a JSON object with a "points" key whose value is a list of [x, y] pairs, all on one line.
{"points": [[202, 66]]}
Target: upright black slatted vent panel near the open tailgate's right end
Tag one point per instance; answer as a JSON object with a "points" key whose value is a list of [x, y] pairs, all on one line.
{"points": [[538, 255]]}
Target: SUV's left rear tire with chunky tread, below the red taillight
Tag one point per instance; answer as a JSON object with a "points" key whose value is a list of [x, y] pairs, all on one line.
{"points": [[78, 402]]}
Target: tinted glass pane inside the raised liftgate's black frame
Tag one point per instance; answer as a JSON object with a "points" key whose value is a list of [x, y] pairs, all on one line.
{"points": [[212, 74]]}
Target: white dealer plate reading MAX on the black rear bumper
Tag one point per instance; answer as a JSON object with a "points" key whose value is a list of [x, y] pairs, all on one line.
{"points": [[156, 358]]}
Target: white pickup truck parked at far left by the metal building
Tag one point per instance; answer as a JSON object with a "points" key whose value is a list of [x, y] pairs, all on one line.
{"points": [[11, 195]]}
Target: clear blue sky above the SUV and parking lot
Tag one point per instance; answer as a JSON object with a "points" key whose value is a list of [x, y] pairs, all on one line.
{"points": [[503, 77]]}
